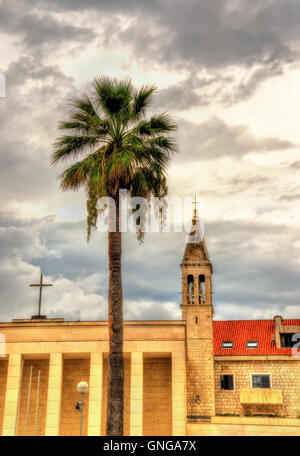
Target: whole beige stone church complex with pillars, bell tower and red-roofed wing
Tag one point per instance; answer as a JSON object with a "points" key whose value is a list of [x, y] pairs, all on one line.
{"points": [[190, 377]]}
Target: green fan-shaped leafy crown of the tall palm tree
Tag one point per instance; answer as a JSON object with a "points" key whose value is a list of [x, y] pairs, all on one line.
{"points": [[121, 148]]}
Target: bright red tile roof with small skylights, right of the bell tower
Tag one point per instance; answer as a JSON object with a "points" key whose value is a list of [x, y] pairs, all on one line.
{"points": [[241, 331]]}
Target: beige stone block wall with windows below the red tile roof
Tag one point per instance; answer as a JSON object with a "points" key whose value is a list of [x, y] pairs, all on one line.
{"points": [[285, 376]]}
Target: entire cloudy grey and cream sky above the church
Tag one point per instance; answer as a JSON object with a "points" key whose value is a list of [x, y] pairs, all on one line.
{"points": [[229, 73]]}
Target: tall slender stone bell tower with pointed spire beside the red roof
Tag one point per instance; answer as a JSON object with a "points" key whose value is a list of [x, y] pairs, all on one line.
{"points": [[197, 311]]}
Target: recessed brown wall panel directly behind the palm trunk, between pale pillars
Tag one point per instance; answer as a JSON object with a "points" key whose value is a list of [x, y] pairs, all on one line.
{"points": [[127, 366]]}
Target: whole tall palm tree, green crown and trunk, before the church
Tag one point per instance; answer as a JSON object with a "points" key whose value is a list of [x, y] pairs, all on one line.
{"points": [[120, 149]]}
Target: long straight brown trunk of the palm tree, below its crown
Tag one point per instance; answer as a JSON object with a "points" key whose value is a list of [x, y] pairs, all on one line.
{"points": [[114, 424]]}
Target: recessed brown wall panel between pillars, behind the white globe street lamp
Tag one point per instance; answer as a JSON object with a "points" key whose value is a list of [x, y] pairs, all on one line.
{"points": [[74, 371]]}
